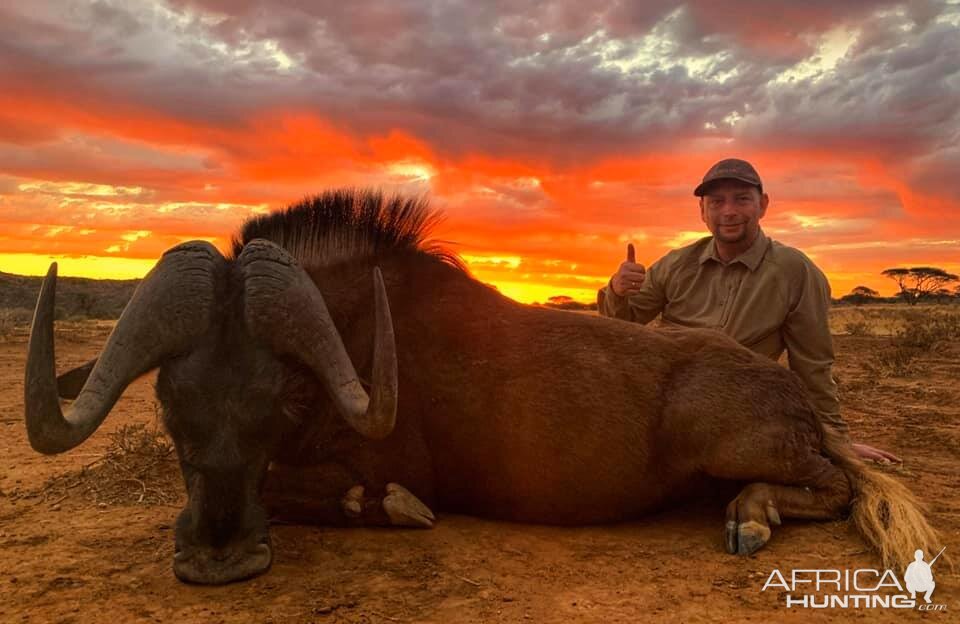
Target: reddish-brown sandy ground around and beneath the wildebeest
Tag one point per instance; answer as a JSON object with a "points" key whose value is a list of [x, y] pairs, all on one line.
{"points": [[73, 560]]}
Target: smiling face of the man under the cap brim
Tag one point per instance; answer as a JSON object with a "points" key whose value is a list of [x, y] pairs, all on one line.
{"points": [[732, 210]]}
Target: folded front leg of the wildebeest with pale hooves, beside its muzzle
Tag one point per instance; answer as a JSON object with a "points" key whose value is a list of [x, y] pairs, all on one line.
{"points": [[328, 494]]}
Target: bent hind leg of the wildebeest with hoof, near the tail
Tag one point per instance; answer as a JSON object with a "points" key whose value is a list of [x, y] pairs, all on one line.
{"points": [[791, 479]]}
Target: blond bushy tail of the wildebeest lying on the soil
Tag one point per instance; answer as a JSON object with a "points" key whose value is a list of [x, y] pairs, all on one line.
{"points": [[885, 512]]}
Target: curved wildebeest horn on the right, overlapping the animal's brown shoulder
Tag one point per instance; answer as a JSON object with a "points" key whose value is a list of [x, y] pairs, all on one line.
{"points": [[285, 308]]}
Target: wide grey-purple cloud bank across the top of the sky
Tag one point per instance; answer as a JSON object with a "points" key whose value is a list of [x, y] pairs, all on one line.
{"points": [[564, 81]]}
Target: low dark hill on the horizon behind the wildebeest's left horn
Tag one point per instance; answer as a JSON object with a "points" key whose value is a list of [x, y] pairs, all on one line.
{"points": [[76, 296]]}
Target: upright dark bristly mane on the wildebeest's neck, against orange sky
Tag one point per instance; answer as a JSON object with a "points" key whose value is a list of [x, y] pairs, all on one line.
{"points": [[342, 224]]}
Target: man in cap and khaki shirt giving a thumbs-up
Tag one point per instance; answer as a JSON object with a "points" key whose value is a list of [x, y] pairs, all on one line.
{"points": [[766, 295]]}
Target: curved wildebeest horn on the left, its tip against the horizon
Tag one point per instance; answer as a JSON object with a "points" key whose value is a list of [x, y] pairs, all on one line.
{"points": [[168, 312]]}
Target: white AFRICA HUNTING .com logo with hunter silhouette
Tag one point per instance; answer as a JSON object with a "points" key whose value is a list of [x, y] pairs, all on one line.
{"points": [[861, 588]]}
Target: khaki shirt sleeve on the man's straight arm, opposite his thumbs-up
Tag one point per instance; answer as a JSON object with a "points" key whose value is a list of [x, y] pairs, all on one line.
{"points": [[806, 333]]}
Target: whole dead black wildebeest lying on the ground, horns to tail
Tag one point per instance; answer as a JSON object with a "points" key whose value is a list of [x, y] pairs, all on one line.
{"points": [[476, 403]]}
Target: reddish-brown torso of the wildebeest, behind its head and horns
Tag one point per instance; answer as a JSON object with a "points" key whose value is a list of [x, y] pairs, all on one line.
{"points": [[532, 414]]}
